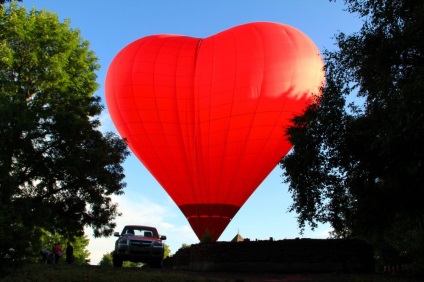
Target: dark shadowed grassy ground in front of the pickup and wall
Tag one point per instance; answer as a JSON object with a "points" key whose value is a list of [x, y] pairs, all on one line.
{"points": [[65, 273]]}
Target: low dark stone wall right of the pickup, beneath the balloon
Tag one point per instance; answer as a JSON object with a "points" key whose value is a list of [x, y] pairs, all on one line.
{"points": [[294, 256]]}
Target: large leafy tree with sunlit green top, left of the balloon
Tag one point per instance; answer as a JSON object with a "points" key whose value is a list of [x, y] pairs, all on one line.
{"points": [[54, 162]]}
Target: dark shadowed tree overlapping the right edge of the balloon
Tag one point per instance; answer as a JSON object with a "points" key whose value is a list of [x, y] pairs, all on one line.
{"points": [[360, 166]]}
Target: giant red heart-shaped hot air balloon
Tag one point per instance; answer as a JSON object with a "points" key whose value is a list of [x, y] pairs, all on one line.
{"points": [[207, 116]]}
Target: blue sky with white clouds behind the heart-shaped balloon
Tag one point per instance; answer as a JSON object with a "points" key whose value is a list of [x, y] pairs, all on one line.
{"points": [[111, 25]]}
